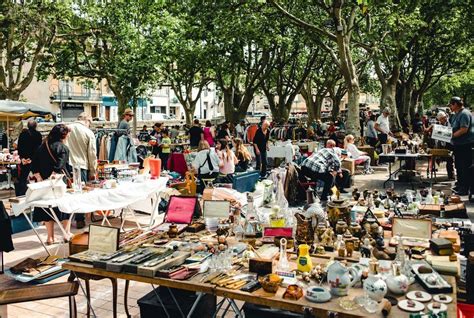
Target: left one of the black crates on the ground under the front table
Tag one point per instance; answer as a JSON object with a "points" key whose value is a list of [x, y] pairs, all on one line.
{"points": [[150, 307]]}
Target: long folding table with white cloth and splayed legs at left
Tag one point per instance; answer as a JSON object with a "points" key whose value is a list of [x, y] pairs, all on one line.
{"points": [[127, 195]]}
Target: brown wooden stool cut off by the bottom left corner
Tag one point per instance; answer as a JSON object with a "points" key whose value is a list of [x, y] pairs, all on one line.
{"points": [[50, 291]]}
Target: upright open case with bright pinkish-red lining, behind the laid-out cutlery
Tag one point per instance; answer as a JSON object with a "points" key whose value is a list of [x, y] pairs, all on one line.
{"points": [[181, 210]]}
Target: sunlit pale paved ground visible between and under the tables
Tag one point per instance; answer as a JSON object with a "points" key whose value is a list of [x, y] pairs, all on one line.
{"points": [[27, 245]]}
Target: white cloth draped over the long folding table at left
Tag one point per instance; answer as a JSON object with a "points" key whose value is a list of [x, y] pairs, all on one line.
{"points": [[126, 194]]}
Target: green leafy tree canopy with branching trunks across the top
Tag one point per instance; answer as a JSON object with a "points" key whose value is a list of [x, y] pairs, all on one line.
{"points": [[417, 52]]}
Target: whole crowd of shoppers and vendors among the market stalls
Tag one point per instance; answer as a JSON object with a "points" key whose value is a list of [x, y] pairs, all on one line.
{"points": [[223, 150]]}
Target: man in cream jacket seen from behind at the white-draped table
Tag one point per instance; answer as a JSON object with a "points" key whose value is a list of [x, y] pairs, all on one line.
{"points": [[82, 152]]}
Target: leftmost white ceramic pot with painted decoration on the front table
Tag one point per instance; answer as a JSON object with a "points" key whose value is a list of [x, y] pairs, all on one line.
{"points": [[340, 278]]}
